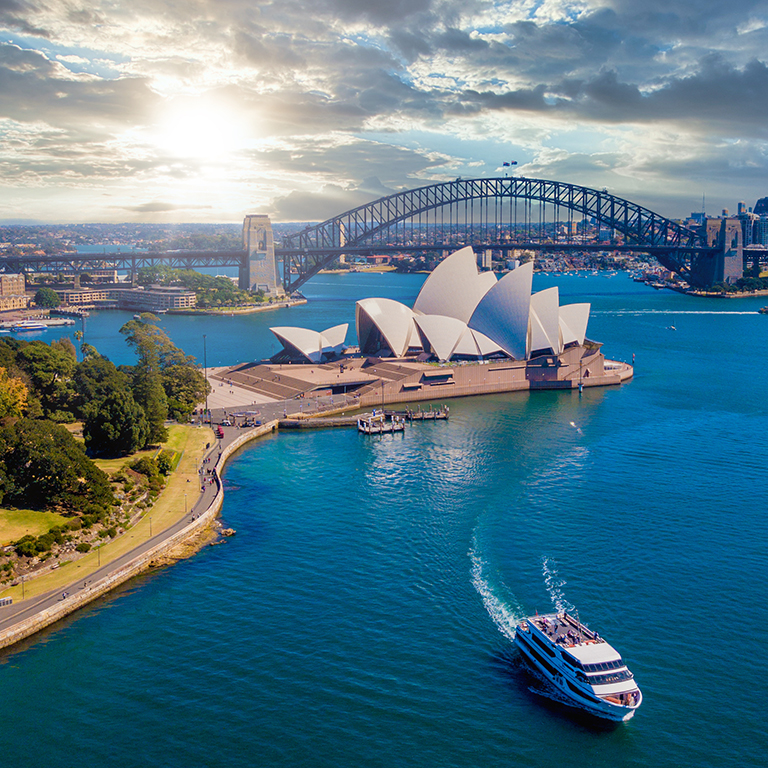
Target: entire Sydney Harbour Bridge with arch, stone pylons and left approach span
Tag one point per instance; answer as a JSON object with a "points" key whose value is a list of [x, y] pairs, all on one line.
{"points": [[490, 214]]}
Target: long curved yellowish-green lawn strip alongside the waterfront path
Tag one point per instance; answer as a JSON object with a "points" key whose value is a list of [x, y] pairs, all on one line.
{"points": [[168, 508]]}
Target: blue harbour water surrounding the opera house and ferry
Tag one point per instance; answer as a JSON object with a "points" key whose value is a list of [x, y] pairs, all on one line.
{"points": [[362, 614]]}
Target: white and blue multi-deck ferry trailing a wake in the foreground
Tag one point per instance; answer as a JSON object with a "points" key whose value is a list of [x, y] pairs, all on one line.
{"points": [[587, 671]]}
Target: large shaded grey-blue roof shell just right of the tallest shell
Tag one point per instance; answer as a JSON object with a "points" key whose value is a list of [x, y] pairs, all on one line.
{"points": [[502, 314]]}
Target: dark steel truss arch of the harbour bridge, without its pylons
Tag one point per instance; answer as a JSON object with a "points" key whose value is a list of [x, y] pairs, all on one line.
{"points": [[305, 253]]}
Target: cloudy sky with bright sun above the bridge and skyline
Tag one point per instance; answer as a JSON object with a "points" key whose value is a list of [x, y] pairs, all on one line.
{"points": [[205, 110]]}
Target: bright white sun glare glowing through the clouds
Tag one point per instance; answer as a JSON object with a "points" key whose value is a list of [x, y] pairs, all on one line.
{"points": [[199, 129]]}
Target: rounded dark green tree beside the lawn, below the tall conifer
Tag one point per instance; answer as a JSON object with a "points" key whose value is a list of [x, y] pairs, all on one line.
{"points": [[116, 425]]}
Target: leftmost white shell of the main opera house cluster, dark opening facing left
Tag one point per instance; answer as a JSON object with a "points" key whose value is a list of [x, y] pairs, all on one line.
{"points": [[387, 321]]}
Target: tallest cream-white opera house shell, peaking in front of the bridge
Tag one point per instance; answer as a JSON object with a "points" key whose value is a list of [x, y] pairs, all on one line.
{"points": [[454, 287]]}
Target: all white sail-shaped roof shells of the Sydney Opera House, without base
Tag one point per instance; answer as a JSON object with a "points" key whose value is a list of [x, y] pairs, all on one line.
{"points": [[459, 314]]}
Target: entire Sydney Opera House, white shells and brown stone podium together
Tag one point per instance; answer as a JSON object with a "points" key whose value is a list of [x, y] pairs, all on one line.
{"points": [[467, 333]]}
